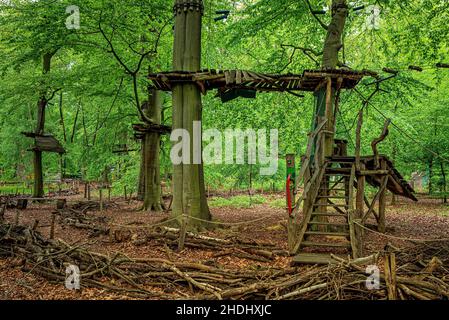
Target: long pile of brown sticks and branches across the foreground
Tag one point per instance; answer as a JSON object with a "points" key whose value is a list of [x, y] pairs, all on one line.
{"points": [[170, 279]]}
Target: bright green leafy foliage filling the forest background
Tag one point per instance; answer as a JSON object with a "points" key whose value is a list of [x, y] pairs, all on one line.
{"points": [[99, 102]]}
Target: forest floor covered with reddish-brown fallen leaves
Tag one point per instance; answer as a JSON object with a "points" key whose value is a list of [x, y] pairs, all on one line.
{"points": [[426, 219]]}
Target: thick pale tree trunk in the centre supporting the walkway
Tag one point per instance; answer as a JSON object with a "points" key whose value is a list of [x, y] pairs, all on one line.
{"points": [[189, 196]]}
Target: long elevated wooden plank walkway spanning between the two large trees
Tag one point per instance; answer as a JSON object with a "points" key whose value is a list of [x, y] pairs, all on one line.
{"points": [[309, 80]]}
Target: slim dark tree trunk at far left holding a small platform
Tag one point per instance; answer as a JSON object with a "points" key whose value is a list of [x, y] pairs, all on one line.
{"points": [[38, 191]]}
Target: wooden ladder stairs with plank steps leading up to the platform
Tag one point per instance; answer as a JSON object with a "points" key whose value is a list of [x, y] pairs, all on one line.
{"points": [[328, 226]]}
